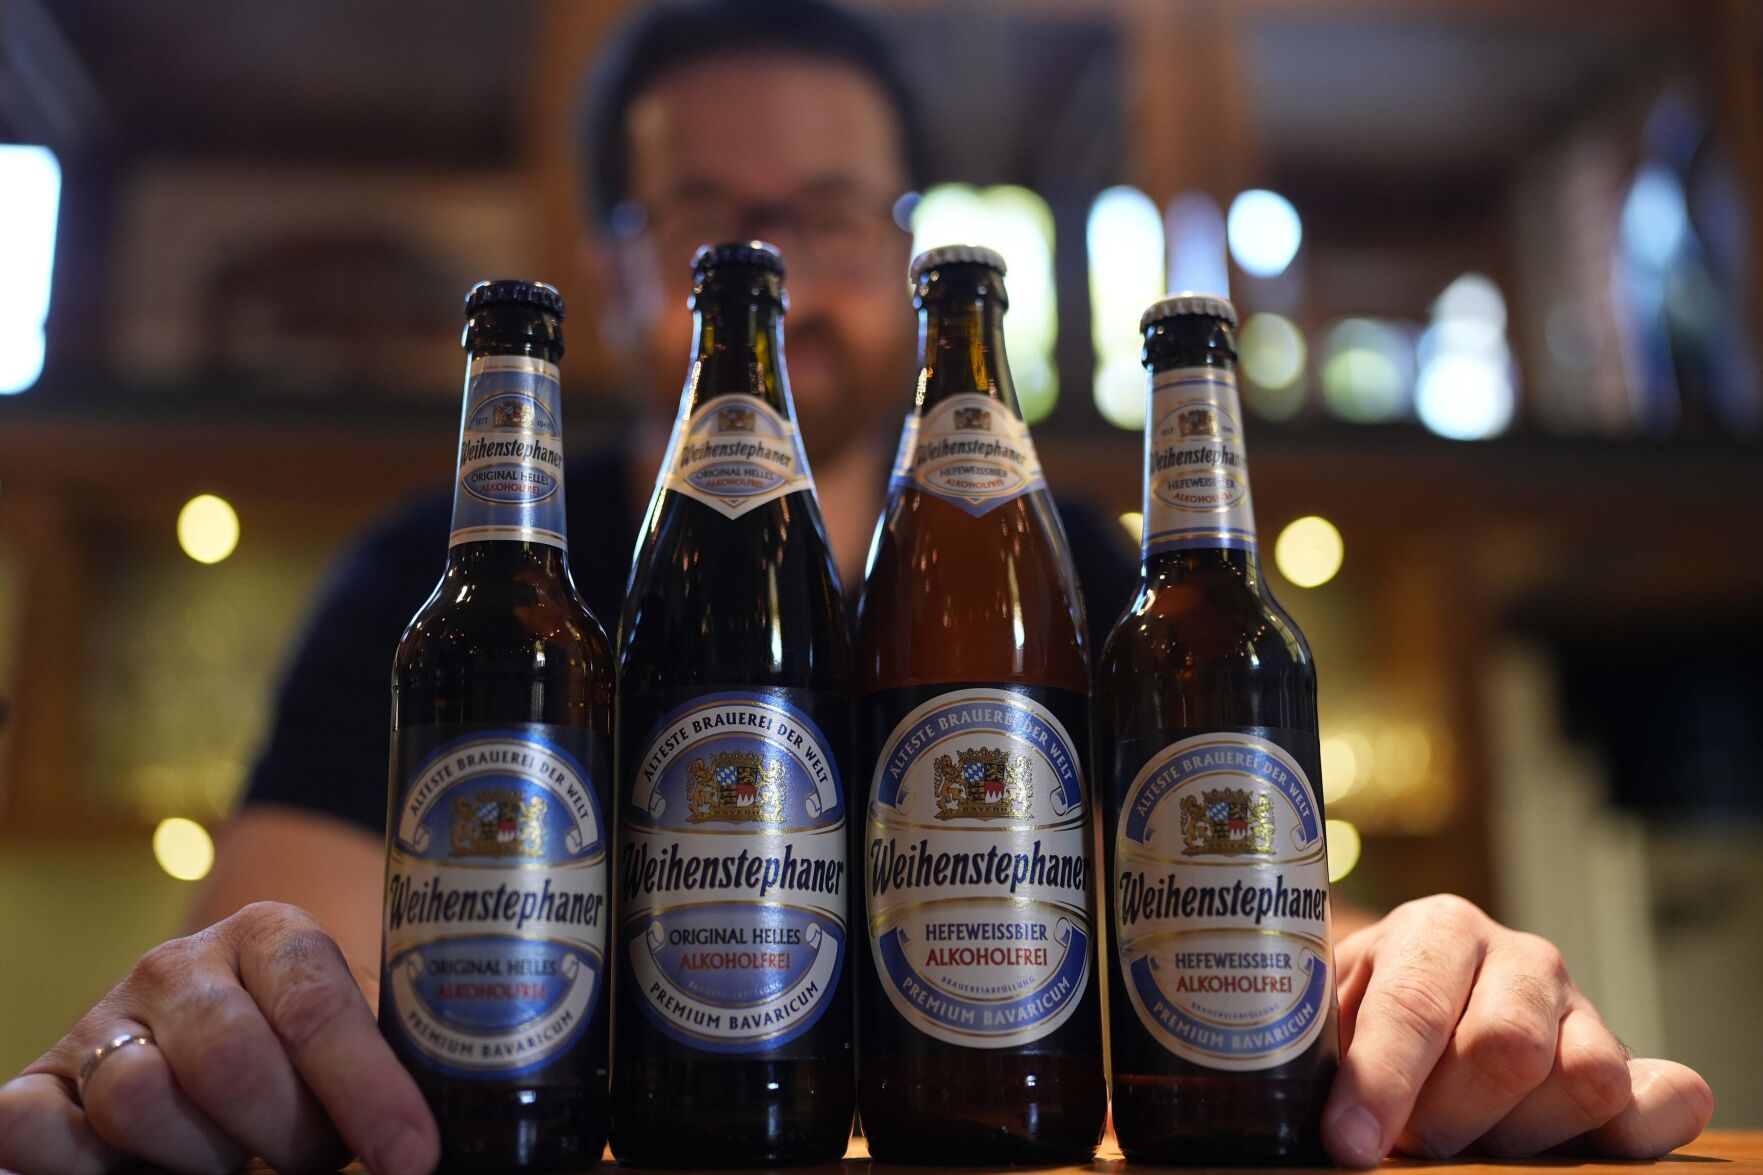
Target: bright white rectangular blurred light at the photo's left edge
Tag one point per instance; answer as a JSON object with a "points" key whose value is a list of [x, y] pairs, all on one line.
{"points": [[31, 197]]}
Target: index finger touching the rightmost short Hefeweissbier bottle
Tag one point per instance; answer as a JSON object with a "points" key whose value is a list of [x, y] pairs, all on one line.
{"points": [[1420, 984]]}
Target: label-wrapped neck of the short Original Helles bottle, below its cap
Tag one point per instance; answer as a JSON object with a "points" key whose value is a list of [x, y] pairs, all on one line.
{"points": [[509, 490]]}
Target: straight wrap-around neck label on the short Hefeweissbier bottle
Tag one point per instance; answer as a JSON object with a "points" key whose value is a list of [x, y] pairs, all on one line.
{"points": [[1196, 475]]}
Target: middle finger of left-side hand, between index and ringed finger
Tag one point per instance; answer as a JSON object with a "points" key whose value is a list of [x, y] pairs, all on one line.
{"points": [[232, 1065]]}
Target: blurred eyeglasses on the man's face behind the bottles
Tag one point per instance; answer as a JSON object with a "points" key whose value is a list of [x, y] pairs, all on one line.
{"points": [[838, 234]]}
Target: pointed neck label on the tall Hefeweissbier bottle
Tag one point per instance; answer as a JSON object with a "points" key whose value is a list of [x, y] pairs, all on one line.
{"points": [[969, 451]]}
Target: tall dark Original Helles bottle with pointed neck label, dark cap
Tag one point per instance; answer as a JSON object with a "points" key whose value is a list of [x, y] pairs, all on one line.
{"points": [[734, 1003]]}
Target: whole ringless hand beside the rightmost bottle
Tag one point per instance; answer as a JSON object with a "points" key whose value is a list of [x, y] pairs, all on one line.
{"points": [[1461, 1035]]}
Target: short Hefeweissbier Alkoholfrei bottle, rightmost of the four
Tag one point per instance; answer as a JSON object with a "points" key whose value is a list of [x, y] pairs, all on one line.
{"points": [[1223, 992]]}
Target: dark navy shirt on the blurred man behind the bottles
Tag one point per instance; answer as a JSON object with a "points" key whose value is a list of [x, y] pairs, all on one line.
{"points": [[331, 742]]}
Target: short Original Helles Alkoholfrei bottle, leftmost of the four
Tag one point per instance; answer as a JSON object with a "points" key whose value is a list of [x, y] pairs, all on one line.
{"points": [[495, 964]]}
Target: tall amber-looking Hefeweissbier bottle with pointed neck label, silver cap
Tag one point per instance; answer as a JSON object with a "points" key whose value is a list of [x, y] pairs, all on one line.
{"points": [[981, 1037]]}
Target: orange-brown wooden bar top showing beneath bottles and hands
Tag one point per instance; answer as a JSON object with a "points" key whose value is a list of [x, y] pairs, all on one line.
{"points": [[1737, 1153]]}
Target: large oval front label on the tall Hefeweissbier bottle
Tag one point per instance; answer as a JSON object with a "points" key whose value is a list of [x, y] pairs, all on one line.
{"points": [[978, 871]]}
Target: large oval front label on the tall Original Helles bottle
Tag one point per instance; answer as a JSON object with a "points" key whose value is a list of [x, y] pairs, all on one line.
{"points": [[734, 855]]}
